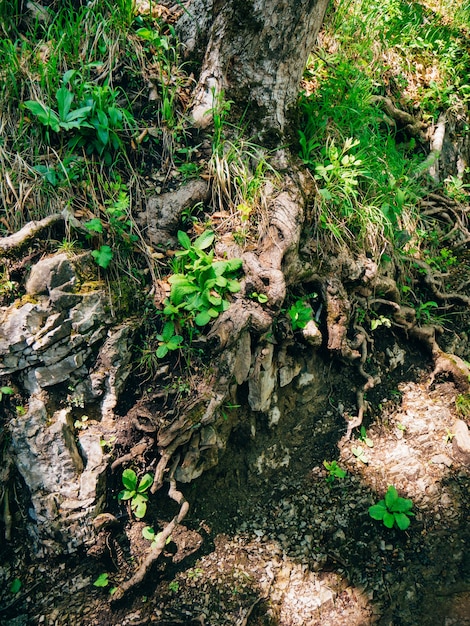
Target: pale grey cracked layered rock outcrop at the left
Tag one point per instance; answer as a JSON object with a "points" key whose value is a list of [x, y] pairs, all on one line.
{"points": [[70, 359]]}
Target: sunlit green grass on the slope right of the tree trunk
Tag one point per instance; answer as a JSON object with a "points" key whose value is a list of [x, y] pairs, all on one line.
{"points": [[365, 166]]}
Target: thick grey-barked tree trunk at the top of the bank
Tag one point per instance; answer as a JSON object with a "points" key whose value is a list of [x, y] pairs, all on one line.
{"points": [[256, 52]]}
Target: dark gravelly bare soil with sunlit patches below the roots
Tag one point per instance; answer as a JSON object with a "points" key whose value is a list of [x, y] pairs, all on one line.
{"points": [[269, 541]]}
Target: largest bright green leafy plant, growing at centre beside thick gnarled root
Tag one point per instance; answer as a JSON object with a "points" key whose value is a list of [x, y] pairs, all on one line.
{"points": [[200, 284]]}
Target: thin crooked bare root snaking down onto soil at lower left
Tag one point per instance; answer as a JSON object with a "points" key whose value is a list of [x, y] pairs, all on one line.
{"points": [[159, 544]]}
